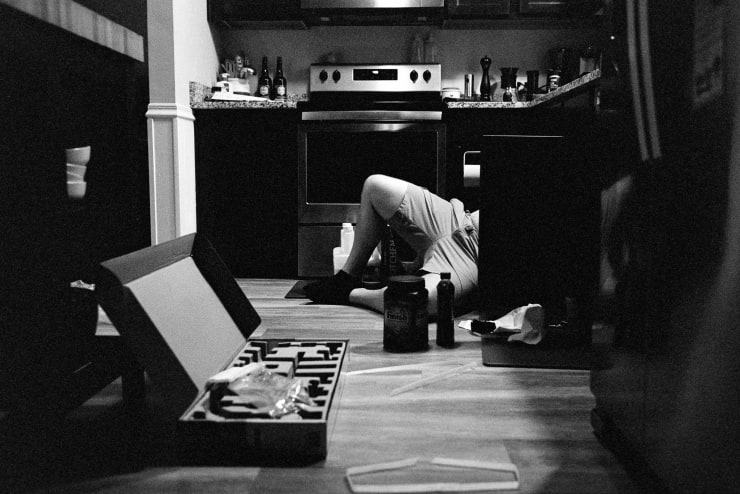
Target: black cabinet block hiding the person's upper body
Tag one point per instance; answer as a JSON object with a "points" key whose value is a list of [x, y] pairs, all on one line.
{"points": [[539, 216]]}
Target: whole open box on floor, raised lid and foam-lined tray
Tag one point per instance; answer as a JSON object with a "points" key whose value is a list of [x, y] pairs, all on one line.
{"points": [[185, 319]]}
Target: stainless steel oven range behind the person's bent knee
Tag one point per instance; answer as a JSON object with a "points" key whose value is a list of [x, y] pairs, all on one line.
{"points": [[362, 120]]}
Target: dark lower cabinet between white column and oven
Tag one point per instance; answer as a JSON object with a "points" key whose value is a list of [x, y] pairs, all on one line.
{"points": [[246, 188]]}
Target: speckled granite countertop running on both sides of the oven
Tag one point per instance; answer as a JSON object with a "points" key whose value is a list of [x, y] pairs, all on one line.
{"points": [[200, 98]]}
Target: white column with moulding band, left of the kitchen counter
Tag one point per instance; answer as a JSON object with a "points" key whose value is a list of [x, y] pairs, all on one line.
{"points": [[181, 49]]}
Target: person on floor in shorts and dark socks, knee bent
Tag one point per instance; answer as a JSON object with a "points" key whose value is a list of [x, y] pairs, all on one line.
{"points": [[441, 232]]}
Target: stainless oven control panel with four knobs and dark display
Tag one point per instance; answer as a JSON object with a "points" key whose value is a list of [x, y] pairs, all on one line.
{"points": [[371, 78]]}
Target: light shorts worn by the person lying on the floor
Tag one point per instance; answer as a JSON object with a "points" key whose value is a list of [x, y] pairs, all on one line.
{"points": [[443, 234]]}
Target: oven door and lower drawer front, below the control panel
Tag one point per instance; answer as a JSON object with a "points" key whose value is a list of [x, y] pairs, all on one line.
{"points": [[335, 158]]}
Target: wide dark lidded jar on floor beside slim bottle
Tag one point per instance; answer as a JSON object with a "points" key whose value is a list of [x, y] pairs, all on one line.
{"points": [[406, 320]]}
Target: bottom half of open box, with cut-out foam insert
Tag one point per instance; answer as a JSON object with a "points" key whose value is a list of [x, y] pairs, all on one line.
{"points": [[220, 428]]}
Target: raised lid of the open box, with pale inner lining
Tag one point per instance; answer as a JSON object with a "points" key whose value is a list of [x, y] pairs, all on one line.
{"points": [[179, 310]]}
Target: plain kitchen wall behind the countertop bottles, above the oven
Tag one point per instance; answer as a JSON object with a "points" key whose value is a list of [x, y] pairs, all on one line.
{"points": [[459, 51]]}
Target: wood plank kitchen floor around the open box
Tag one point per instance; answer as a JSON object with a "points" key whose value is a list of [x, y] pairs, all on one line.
{"points": [[536, 418]]}
